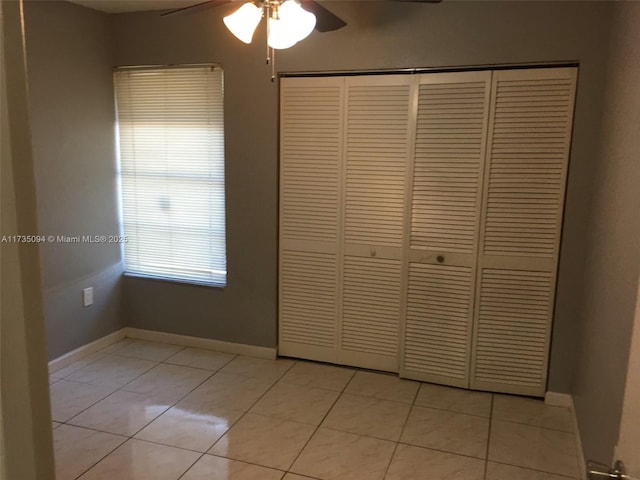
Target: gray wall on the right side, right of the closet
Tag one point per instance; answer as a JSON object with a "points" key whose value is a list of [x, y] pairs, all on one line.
{"points": [[613, 249]]}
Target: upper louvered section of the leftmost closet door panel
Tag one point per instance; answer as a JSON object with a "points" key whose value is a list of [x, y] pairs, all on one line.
{"points": [[310, 151]]}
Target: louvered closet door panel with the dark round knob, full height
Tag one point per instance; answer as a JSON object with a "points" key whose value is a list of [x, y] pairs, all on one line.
{"points": [[446, 193]]}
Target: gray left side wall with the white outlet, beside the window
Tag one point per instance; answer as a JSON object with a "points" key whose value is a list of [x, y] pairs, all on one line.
{"points": [[69, 54]]}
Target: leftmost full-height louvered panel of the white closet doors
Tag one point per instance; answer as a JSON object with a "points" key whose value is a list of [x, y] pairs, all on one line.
{"points": [[311, 131]]}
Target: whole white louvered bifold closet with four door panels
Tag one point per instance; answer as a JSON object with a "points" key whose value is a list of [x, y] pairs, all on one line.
{"points": [[420, 220]]}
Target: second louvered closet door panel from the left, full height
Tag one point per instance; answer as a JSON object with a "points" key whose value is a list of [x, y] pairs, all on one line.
{"points": [[377, 145]]}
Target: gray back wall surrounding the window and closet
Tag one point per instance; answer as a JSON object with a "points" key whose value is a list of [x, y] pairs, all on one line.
{"points": [[379, 35]]}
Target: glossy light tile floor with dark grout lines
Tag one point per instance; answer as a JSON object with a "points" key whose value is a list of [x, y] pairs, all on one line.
{"points": [[150, 411]]}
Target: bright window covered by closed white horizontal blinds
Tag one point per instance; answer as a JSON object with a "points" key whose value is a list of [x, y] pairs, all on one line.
{"points": [[171, 134]]}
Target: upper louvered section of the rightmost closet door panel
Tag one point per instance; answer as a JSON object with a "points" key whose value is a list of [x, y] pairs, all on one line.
{"points": [[522, 109]]}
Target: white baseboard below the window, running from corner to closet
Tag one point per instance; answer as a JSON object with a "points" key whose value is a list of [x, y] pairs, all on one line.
{"points": [[204, 343]]}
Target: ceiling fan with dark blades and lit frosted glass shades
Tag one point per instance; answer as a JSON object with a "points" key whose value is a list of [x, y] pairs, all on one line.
{"points": [[288, 21]]}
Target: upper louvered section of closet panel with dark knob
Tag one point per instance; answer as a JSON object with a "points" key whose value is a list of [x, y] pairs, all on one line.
{"points": [[449, 147]]}
